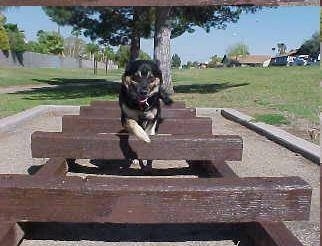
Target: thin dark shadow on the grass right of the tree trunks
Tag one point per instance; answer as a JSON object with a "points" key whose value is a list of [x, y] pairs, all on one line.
{"points": [[205, 88]]}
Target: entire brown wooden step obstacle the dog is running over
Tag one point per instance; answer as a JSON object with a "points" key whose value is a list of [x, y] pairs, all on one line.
{"points": [[257, 205]]}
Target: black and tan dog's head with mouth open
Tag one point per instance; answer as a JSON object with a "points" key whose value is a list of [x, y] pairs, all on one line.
{"points": [[142, 80]]}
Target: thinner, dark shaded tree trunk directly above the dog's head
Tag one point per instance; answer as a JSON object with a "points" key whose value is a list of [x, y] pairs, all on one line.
{"points": [[135, 37]]}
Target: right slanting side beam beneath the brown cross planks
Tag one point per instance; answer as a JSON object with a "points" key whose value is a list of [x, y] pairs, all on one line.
{"points": [[256, 233]]}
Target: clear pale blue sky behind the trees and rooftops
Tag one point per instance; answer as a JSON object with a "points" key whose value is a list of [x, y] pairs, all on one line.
{"points": [[261, 31]]}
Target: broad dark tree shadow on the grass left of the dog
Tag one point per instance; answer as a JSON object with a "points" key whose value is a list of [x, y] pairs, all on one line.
{"points": [[62, 88]]}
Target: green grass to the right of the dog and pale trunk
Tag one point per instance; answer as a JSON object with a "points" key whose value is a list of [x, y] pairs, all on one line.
{"points": [[292, 91]]}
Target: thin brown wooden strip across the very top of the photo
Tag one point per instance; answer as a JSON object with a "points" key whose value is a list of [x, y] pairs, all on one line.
{"points": [[154, 2]]}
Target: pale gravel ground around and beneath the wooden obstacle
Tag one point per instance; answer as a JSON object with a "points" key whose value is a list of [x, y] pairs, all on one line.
{"points": [[261, 157]]}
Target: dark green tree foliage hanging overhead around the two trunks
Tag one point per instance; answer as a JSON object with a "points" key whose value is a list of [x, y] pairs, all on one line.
{"points": [[115, 25]]}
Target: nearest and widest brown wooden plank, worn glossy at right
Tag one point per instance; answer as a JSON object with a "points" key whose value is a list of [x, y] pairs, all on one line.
{"points": [[153, 200]]}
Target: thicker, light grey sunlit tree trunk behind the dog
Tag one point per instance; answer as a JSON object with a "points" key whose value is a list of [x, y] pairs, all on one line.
{"points": [[162, 37]]}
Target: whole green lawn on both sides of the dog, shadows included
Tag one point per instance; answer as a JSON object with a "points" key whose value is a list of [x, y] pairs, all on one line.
{"points": [[290, 91]]}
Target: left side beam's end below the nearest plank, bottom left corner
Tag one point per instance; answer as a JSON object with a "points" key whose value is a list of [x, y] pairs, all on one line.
{"points": [[10, 234]]}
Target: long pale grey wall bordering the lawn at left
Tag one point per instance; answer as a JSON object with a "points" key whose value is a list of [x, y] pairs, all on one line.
{"points": [[31, 59]]}
